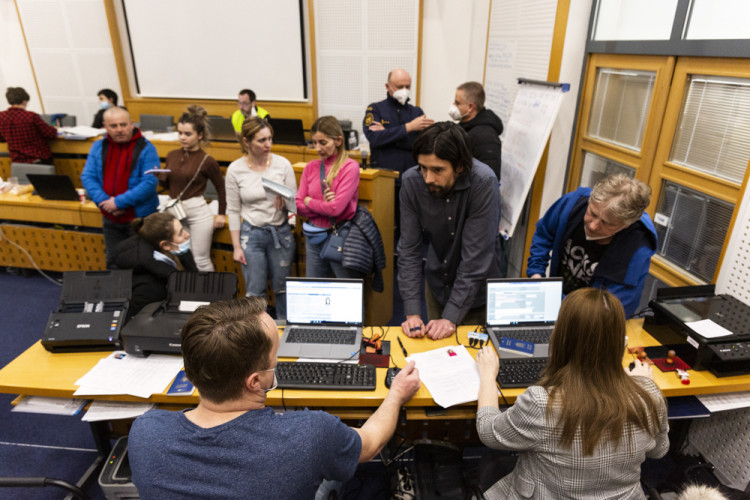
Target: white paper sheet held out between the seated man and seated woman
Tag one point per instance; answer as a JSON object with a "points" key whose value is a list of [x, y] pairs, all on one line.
{"points": [[449, 373]]}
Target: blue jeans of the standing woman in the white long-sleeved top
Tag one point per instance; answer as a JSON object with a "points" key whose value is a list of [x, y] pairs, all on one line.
{"points": [[268, 250]]}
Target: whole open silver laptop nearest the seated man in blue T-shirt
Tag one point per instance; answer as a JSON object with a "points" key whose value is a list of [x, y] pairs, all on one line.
{"points": [[321, 313]]}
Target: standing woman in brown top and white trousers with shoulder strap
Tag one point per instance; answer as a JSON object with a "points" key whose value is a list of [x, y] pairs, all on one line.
{"points": [[190, 169]]}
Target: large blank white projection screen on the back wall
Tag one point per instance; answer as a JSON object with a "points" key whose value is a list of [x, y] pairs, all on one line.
{"points": [[211, 50]]}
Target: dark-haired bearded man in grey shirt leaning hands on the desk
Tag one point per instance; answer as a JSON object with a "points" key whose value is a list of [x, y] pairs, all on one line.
{"points": [[451, 202]]}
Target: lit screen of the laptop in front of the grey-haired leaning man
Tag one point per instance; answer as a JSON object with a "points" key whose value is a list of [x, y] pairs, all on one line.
{"points": [[522, 301]]}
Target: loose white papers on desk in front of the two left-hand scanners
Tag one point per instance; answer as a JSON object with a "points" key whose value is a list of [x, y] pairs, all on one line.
{"points": [[122, 373]]}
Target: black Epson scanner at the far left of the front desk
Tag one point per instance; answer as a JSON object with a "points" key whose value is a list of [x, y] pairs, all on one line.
{"points": [[93, 308]]}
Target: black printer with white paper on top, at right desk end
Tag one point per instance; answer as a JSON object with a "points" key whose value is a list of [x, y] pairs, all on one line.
{"points": [[674, 322]]}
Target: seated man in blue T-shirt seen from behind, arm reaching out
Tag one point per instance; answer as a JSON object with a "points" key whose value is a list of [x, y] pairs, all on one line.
{"points": [[233, 445]]}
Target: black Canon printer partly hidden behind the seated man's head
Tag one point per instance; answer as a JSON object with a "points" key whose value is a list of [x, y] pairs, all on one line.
{"points": [[156, 328]]}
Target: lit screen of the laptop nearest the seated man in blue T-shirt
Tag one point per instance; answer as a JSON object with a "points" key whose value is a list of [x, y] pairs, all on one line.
{"points": [[324, 301]]}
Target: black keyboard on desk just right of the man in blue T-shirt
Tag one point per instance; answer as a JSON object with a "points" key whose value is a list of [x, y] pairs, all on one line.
{"points": [[336, 376]]}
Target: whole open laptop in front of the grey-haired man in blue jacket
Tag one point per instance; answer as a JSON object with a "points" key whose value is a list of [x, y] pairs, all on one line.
{"points": [[523, 309]]}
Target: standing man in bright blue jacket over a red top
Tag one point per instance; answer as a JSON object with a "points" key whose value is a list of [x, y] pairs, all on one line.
{"points": [[115, 178]]}
